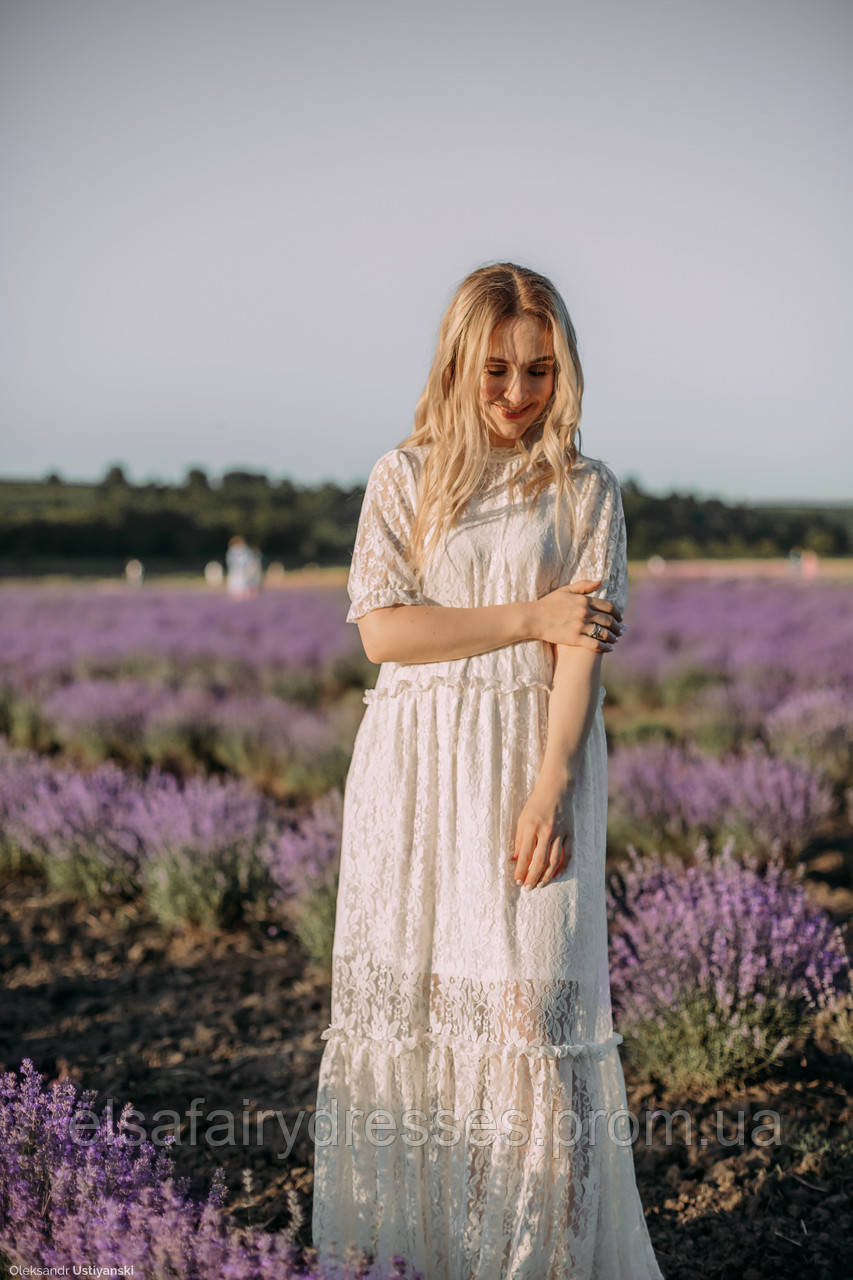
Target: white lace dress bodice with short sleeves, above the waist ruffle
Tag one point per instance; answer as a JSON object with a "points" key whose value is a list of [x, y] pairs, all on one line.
{"points": [[503, 550]]}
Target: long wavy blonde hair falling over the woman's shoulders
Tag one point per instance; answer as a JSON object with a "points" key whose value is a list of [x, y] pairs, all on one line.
{"points": [[450, 418]]}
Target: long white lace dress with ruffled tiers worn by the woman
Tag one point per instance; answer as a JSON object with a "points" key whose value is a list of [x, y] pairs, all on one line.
{"points": [[472, 1041]]}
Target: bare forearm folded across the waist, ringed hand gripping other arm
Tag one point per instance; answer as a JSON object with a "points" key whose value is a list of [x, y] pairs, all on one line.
{"points": [[432, 633]]}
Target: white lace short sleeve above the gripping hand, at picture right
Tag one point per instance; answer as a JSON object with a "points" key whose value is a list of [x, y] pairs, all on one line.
{"points": [[601, 537]]}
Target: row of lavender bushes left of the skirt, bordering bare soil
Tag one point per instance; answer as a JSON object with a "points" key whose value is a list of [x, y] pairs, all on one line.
{"points": [[209, 852]]}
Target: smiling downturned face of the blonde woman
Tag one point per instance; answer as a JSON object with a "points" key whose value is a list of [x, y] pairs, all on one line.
{"points": [[518, 378]]}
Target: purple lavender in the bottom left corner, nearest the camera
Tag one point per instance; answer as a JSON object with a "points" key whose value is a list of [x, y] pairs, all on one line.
{"points": [[81, 1192]]}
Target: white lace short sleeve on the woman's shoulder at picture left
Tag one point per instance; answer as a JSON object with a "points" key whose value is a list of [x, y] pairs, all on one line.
{"points": [[380, 574]]}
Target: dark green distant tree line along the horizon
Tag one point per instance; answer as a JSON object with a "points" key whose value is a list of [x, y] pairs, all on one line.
{"points": [[53, 523]]}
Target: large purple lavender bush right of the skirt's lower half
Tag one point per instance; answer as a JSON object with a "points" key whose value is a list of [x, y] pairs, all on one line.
{"points": [[715, 967]]}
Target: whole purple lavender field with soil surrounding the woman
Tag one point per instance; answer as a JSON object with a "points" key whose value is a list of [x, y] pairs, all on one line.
{"points": [[172, 766]]}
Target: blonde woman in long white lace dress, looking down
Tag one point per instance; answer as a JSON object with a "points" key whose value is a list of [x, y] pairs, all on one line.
{"points": [[472, 1071]]}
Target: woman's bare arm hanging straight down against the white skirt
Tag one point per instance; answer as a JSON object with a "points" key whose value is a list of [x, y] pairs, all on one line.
{"points": [[545, 831]]}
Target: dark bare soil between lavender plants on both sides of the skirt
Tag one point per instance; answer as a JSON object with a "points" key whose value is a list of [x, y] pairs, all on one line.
{"points": [[102, 994]]}
